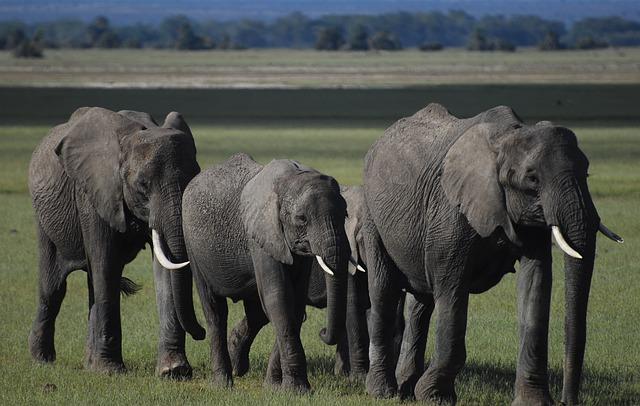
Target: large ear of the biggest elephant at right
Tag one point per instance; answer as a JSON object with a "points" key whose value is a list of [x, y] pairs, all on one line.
{"points": [[470, 182]]}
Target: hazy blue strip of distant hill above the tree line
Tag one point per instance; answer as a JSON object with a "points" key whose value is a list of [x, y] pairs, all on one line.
{"points": [[129, 11]]}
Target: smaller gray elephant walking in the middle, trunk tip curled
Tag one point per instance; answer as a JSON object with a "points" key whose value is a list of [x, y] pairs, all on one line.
{"points": [[252, 232]]}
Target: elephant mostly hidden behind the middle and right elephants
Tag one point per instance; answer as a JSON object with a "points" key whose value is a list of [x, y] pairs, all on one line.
{"points": [[352, 349]]}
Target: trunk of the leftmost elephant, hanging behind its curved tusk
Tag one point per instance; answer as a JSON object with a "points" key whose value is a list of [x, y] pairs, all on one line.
{"points": [[180, 279]]}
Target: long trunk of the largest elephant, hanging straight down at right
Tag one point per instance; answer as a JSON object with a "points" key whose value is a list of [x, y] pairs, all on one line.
{"points": [[578, 221]]}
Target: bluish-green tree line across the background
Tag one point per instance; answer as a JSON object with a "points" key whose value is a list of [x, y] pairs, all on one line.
{"points": [[428, 31]]}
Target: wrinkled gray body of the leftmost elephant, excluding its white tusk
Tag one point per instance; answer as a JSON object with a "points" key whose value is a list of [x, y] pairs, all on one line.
{"points": [[98, 183]]}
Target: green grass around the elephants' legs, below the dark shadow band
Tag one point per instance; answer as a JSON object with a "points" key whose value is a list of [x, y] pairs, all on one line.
{"points": [[612, 375]]}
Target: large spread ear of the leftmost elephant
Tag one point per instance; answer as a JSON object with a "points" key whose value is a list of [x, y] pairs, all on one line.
{"points": [[90, 155]]}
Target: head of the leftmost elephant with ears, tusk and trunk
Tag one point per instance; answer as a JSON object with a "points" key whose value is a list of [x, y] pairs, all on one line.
{"points": [[133, 172]]}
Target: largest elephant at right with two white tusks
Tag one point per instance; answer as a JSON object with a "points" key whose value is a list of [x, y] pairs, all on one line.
{"points": [[452, 204]]}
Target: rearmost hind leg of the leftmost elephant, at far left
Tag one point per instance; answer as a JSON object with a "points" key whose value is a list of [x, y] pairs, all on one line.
{"points": [[52, 286]]}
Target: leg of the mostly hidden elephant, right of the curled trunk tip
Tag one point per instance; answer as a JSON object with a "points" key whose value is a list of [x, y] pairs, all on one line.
{"points": [[357, 334]]}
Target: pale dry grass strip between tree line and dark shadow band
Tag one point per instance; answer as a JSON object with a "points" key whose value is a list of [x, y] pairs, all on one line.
{"points": [[309, 68]]}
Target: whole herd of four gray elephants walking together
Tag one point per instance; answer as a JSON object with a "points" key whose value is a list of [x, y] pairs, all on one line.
{"points": [[446, 209]]}
